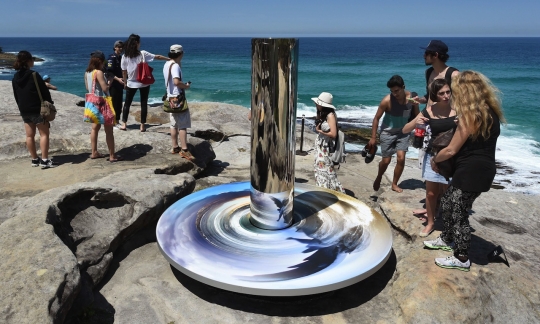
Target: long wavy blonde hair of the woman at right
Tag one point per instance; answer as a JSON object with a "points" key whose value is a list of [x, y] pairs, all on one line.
{"points": [[473, 95]]}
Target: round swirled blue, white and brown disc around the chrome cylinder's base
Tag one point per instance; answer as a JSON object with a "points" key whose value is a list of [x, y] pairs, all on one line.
{"points": [[335, 241]]}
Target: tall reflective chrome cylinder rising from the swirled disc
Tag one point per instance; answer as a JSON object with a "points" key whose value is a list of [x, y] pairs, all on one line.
{"points": [[274, 73]]}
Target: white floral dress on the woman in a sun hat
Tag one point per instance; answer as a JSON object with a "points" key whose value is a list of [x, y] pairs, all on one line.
{"points": [[325, 174]]}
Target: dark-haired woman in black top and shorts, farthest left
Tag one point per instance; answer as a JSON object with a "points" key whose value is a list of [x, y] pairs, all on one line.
{"points": [[26, 95]]}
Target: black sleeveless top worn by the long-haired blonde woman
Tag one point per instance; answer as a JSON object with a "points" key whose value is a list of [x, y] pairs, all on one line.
{"points": [[475, 161]]}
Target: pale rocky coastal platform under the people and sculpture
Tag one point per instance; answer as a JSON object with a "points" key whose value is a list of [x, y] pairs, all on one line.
{"points": [[77, 242]]}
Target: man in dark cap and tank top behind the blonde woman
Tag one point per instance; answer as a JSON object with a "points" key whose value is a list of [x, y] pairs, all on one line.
{"points": [[436, 55]]}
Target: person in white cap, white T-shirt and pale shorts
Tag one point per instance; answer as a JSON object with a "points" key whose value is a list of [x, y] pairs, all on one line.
{"points": [[180, 122]]}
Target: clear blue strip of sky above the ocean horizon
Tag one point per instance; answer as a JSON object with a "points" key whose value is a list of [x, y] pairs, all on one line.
{"points": [[270, 18]]}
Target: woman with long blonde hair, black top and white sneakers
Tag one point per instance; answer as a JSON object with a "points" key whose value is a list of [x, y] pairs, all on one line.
{"points": [[473, 149]]}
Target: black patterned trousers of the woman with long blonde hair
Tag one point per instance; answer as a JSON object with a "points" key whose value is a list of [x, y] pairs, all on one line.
{"points": [[455, 205]]}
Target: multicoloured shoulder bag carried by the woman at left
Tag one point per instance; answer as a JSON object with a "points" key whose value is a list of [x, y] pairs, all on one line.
{"points": [[97, 109]]}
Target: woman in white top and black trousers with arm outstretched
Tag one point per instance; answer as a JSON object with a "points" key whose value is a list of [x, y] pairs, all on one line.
{"points": [[133, 56]]}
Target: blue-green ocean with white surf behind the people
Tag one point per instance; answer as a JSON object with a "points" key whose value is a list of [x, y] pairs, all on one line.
{"points": [[354, 70]]}
